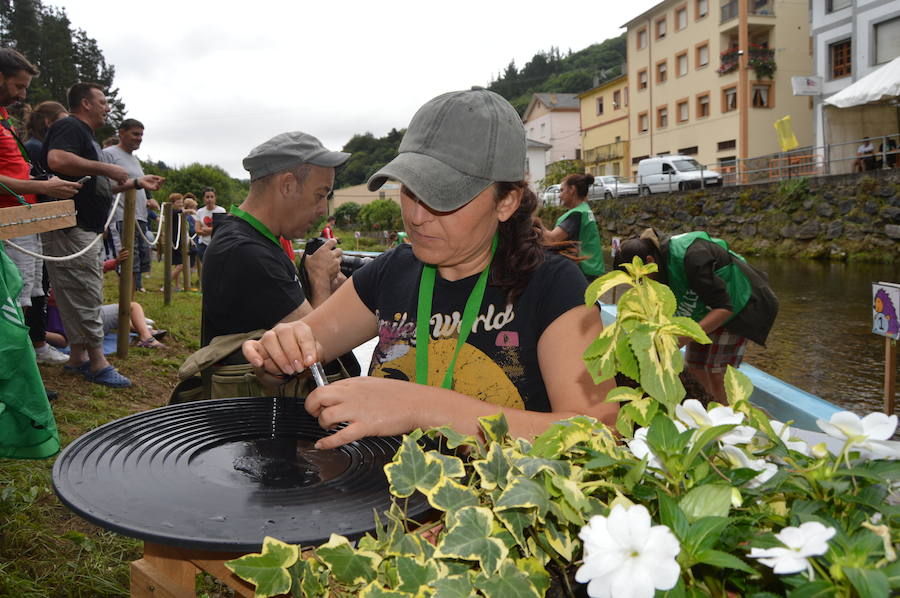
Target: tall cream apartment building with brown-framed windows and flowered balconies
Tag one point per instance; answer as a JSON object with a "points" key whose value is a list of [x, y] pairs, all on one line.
{"points": [[701, 78]]}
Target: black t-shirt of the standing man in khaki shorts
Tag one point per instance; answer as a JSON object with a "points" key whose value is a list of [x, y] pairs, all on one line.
{"points": [[94, 200]]}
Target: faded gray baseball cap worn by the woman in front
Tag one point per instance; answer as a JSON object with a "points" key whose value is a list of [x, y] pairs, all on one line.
{"points": [[457, 145]]}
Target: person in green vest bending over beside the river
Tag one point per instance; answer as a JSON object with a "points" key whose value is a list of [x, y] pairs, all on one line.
{"points": [[717, 288]]}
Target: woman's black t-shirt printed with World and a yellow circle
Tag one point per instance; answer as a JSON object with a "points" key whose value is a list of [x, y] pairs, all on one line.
{"points": [[499, 362]]}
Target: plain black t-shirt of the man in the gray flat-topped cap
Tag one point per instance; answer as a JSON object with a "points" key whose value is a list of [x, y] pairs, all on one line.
{"points": [[248, 282]]}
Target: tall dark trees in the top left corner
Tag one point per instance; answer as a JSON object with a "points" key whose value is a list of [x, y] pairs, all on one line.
{"points": [[63, 54]]}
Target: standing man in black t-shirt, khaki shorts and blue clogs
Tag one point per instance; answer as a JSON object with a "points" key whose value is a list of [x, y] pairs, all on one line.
{"points": [[71, 152]]}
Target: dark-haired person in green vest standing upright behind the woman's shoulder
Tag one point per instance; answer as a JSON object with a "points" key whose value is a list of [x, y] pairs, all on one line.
{"points": [[578, 225]]}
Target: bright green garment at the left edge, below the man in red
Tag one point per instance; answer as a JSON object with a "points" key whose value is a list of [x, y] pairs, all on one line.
{"points": [[27, 427]]}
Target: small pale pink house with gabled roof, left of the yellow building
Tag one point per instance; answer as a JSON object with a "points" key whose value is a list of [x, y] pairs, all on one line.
{"points": [[553, 118]]}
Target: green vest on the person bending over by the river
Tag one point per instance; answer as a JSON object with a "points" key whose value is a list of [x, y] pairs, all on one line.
{"points": [[689, 303]]}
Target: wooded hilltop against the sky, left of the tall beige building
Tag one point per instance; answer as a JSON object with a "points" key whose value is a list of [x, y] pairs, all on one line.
{"points": [[553, 73]]}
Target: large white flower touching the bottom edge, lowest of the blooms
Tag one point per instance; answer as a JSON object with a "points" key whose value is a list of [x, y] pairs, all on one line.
{"points": [[626, 557]]}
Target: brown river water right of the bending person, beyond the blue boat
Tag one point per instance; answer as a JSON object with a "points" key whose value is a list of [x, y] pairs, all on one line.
{"points": [[822, 340]]}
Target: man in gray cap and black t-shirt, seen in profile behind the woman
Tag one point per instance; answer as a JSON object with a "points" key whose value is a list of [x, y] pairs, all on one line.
{"points": [[249, 282]]}
